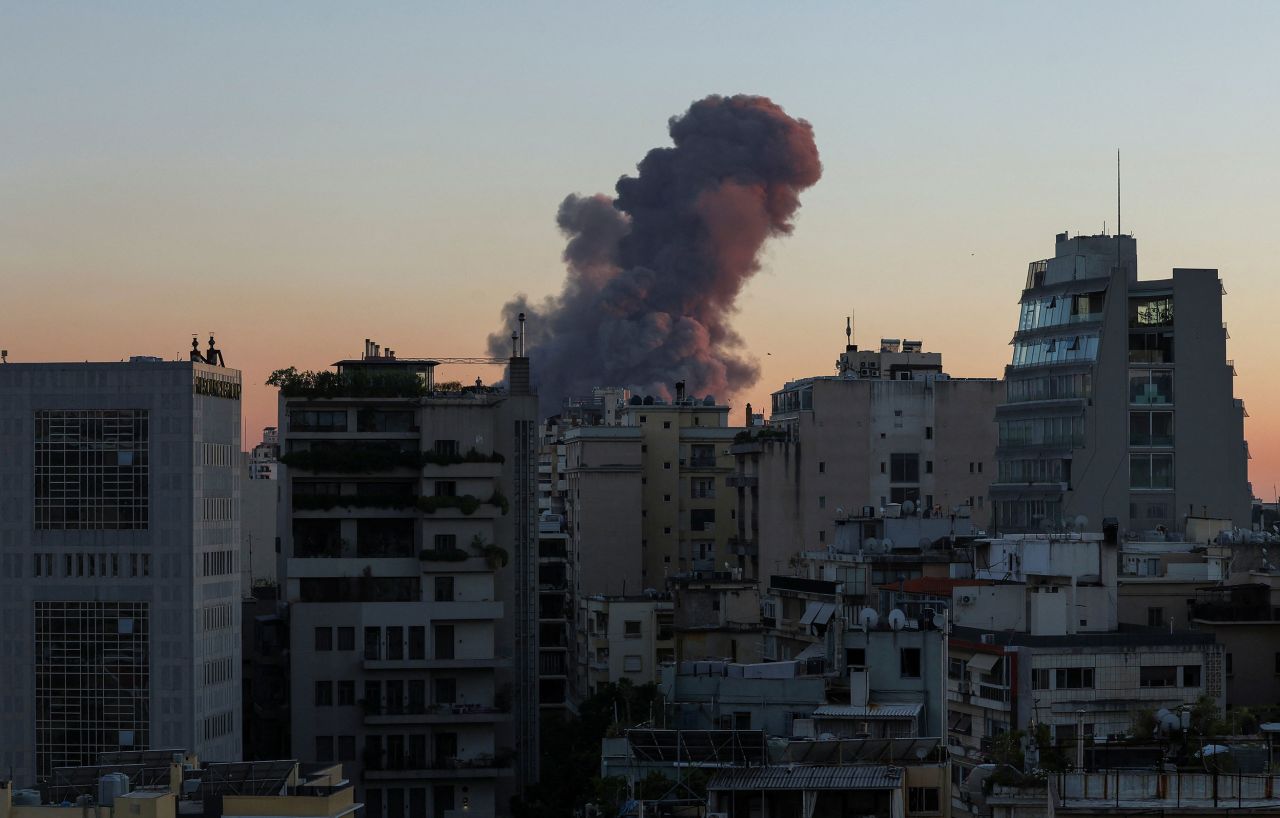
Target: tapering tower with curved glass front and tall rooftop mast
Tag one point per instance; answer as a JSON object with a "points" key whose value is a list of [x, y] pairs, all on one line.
{"points": [[1119, 397]]}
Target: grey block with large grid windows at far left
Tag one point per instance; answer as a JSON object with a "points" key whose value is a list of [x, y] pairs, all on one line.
{"points": [[120, 551]]}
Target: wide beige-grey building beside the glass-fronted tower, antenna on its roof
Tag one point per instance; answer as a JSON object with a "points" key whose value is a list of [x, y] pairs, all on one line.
{"points": [[892, 431]]}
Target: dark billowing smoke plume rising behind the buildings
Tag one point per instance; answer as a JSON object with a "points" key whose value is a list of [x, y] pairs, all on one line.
{"points": [[656, 272]]}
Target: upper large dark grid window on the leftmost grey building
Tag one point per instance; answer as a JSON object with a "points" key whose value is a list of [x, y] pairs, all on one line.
{"points": [[92, 469]]}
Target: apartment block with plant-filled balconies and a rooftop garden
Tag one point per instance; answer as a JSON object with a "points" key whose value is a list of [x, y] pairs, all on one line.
{"points": [[410, 529]]}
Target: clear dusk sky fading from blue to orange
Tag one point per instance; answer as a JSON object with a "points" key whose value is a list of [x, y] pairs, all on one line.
{"points": [[303, 176]]}
